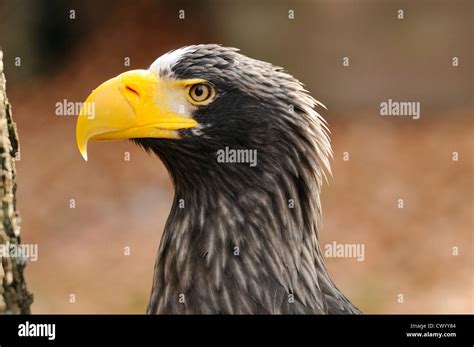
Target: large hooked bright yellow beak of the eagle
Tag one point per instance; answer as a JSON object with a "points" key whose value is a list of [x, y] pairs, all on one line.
{"points": [[131, 105]]}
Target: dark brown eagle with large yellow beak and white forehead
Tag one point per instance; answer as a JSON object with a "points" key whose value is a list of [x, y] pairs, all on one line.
{"points": [[242, 236]]}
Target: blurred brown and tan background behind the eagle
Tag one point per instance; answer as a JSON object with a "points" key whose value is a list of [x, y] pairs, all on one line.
{"points": [[120, 204]]}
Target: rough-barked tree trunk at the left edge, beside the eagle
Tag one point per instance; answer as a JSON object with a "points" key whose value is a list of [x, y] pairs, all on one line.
{"points": [[14, 297]]}
